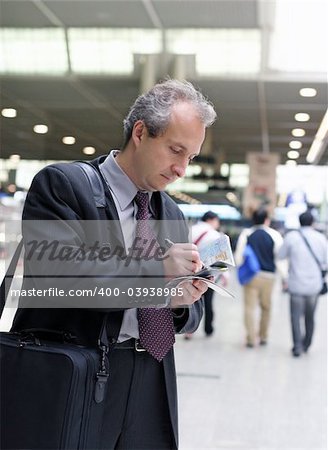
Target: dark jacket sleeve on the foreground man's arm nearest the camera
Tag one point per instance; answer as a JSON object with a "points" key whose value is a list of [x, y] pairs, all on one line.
{"points": [[53, 231]]}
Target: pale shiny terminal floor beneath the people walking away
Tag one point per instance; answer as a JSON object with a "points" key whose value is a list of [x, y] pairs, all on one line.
{"points": [[233, 397]]}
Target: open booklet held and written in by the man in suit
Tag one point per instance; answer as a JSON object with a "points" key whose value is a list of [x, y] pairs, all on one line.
{"points": [[216, 257]]}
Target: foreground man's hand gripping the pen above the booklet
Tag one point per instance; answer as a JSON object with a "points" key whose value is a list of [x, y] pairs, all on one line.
{"points": [[181, 259]]}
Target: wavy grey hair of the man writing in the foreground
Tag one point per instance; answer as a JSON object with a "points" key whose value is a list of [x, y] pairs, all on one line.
{"points": [[154, 107]]}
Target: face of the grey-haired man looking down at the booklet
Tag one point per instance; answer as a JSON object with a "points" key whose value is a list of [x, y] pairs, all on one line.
{"points": [[160, 161]]}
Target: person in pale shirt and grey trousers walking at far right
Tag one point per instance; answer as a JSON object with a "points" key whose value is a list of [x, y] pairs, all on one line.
{"points": [[306, 250]]}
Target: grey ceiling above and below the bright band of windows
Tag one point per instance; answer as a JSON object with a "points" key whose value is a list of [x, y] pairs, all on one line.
{"points": [[251, 110]]}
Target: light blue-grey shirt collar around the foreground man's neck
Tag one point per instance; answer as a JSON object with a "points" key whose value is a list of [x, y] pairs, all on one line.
{"points": [[117, 180]]}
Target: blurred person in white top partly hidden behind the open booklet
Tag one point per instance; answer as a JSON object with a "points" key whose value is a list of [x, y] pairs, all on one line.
{"points": [[203, 233]]}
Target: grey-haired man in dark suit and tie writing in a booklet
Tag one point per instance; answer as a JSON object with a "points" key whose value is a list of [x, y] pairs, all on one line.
{"points": [[163, 131]]}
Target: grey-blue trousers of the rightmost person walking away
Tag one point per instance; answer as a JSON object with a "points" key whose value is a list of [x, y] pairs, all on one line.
{"points": [[302, 306]]}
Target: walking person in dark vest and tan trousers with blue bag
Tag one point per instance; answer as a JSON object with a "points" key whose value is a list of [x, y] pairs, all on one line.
{"points": [[265, 243]]}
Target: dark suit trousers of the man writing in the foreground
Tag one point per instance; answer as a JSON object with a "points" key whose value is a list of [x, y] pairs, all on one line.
{"points": [[137, 413]]}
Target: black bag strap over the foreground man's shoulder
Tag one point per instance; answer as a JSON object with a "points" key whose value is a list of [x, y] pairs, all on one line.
{"points": [[98, 192]]}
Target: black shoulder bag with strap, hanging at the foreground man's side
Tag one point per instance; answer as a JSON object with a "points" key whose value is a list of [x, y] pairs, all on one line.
{"points": [[52, 391]]}
